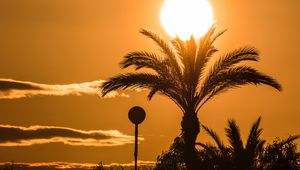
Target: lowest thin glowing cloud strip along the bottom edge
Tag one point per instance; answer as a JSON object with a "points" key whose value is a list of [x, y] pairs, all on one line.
{"points": [[73, 166]]}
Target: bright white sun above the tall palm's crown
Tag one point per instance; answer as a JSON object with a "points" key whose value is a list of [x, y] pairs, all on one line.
{"points": [[184, 18]]}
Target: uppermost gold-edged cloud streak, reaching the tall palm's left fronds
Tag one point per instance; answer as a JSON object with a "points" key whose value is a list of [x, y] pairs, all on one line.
{"points": [[14, 89]]}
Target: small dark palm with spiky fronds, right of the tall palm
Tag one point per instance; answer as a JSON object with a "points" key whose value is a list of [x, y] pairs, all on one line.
{"points": [[241, 156]]}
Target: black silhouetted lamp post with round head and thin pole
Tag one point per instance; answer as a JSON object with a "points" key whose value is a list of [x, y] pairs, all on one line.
{"points": [[136, 115]]}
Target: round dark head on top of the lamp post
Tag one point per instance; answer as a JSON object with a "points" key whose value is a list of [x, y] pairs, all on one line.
{"points": [[136, 115]]}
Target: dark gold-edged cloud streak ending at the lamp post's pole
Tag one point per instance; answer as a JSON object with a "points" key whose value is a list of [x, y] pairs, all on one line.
{"points": [[27, 136]]}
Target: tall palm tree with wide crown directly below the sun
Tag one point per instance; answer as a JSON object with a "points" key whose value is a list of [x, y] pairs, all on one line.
{"points": [[182, 73]]}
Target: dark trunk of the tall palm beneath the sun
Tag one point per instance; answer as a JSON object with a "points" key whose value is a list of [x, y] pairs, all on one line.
{"points": [[190, 130]]}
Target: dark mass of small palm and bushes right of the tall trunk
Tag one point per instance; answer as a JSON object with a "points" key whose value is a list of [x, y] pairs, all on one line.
{"points": [[281, 155]]}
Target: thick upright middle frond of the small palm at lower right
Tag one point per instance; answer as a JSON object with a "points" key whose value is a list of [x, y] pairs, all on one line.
{"points": [[234, 136]]}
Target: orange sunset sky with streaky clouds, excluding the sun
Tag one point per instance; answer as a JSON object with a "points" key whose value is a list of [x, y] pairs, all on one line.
{"points": [[54, 55]]}
